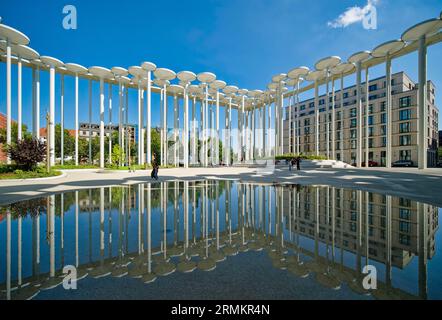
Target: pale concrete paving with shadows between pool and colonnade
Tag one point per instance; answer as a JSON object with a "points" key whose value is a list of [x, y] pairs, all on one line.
{"points": [[424, 186]]}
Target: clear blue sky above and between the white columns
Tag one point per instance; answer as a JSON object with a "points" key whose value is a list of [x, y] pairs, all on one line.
{"points": [[243, 42]]}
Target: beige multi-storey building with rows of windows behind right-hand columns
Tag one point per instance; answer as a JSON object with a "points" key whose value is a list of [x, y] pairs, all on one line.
{"points": [[404, 123]]}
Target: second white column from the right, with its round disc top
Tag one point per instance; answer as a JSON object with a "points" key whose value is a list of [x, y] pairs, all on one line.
{"points": [[386, 50]]}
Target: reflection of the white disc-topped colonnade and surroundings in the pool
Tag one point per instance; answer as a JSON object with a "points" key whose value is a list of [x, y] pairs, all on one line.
{"points": [[203, 223]]}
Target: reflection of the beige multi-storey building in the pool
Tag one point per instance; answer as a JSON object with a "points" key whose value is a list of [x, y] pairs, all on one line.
{"points": [[352, 224]]}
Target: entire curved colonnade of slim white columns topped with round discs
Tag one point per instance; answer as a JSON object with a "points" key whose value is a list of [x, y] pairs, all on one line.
{"points": [[250, 105]]}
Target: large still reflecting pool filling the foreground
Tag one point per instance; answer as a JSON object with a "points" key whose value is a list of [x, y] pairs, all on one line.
{"points": [[220, 240]]}
